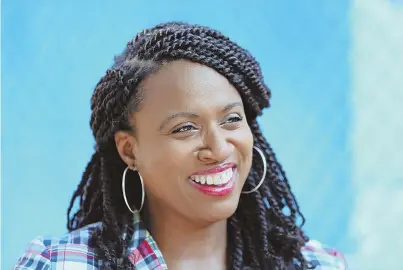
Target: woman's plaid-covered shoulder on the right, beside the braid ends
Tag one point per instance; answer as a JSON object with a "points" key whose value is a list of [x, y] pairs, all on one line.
{"points": [[324, 257]]}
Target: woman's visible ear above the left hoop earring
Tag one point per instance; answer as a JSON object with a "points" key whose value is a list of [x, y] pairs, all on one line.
{"points": [[126, 146]]}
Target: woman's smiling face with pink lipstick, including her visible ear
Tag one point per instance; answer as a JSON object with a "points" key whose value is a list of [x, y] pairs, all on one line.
{"points": [[192, 144]]}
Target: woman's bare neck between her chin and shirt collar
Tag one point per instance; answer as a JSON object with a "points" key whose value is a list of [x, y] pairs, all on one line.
{"points": [[186, 245]]}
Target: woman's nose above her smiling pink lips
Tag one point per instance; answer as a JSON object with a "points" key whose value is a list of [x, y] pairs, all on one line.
{"points": [[216, 147]]}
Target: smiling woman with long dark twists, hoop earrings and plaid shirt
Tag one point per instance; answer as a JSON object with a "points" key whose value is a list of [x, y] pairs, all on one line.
{"points": [[182, 177]]}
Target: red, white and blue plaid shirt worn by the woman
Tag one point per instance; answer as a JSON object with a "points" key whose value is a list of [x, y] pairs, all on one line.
{"points": [[72, 252]]}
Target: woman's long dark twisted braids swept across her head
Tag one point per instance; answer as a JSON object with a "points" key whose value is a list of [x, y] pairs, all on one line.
{"points": [[262, 235]]}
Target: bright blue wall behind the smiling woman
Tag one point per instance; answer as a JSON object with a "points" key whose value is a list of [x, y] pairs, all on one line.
{"points": [[54, 53]]}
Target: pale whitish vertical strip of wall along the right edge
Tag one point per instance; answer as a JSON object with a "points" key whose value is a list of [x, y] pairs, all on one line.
{"points": [[377, 134]]}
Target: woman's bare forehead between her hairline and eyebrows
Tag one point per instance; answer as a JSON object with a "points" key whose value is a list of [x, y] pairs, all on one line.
{"points": [[186, 84]]}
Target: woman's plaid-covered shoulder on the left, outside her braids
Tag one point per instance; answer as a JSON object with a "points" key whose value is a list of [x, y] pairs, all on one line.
{"points": [[71, 251]]}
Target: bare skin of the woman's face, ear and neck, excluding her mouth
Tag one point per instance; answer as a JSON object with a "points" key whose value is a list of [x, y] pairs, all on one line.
{"points": [[191, 119]]}
